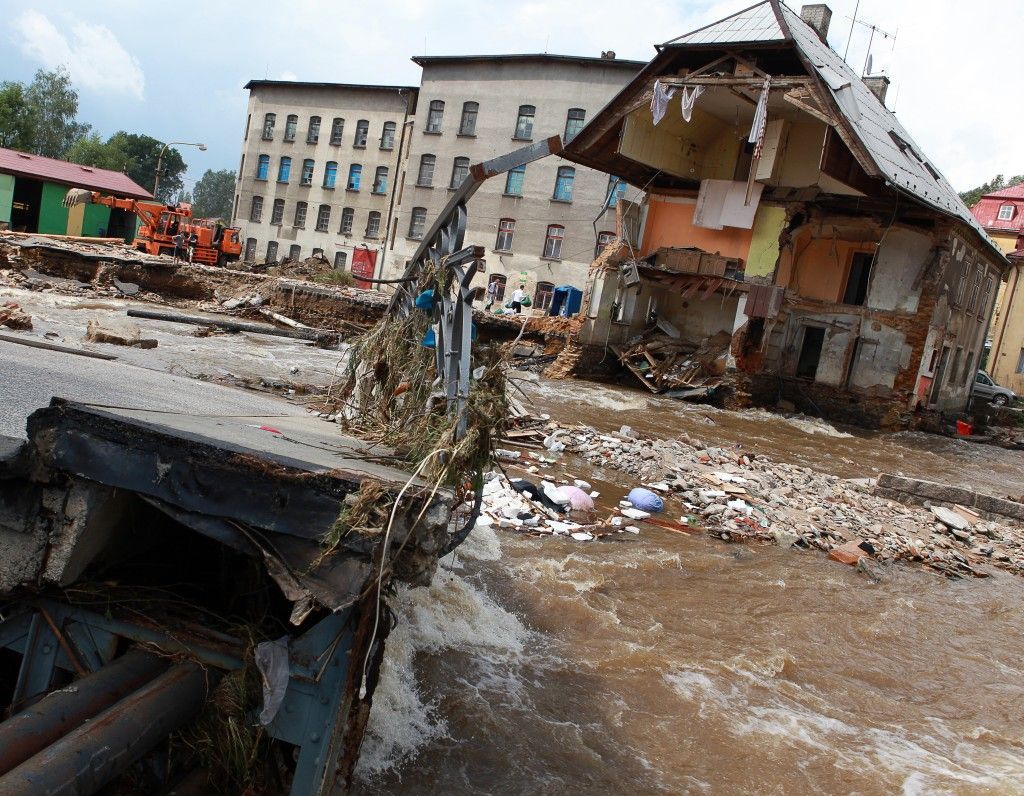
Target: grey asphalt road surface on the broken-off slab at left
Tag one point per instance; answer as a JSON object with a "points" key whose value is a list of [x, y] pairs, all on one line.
{"points": [[30, 378]]}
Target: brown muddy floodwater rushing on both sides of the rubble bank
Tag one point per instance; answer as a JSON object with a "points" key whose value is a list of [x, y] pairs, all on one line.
{"points": [[678, 664]]}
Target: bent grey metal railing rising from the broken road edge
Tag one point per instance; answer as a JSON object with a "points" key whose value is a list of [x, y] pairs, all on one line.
{"points": [[455, 265]]}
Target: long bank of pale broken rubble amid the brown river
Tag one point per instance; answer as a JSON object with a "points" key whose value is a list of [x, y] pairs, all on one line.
{"points": [[739, 497]]}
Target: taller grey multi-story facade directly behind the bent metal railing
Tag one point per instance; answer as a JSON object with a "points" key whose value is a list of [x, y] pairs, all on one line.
{"points": [[541, 225]]}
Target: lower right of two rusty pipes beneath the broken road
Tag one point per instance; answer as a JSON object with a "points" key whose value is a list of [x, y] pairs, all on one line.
{"points": [[98, 752]]}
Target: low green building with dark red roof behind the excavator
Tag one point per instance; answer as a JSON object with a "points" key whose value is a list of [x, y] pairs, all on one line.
{"points": [[32, 192]]}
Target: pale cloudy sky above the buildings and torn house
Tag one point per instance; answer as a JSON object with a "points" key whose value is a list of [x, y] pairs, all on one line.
{"points": [[179, 75]]}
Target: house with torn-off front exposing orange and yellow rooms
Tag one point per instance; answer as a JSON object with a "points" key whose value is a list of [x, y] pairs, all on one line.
{"points": [[795, 243]]}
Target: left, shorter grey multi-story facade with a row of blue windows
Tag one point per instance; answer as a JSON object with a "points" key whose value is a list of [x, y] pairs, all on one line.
{"points": [[319, 169]]}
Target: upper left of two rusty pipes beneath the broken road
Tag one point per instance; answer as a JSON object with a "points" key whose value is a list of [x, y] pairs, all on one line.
{"points": [[32, 731]]}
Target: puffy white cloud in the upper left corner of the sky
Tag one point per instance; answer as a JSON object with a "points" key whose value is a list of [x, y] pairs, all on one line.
{"points": [[92, 54]]}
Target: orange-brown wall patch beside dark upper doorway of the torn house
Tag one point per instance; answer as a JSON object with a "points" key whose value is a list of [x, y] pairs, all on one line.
{"points": [[823, 266]]}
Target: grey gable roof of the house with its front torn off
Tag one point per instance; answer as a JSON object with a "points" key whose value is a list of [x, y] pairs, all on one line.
{"points": [[897, 157]]}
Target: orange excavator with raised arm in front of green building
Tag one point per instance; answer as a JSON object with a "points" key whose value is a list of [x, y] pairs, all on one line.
{"points": [[215, 244]]}
